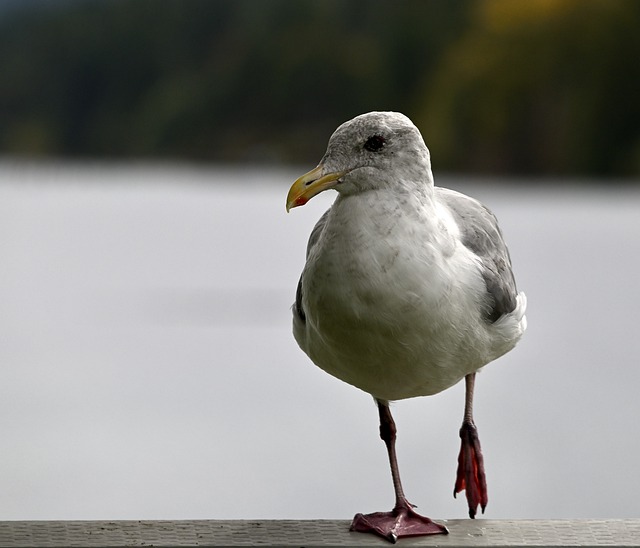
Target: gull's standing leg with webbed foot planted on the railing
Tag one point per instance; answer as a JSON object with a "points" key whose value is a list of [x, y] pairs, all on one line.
{"points": [[402, 521]]}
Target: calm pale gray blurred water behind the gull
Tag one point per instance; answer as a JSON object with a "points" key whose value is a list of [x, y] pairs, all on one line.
{"points": [[148, 370]]}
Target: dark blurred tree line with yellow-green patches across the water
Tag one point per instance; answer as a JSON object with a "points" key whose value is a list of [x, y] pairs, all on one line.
{"points": [[547, 87]]}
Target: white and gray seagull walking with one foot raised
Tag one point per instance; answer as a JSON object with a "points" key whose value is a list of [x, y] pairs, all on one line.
{"points": [[407, 289]]}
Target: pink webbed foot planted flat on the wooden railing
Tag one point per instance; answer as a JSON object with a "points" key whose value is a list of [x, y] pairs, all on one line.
{"points": [[402, 521]]}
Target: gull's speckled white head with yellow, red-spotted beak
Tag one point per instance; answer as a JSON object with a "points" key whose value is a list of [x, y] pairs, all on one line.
{"points": [[372, 151]]}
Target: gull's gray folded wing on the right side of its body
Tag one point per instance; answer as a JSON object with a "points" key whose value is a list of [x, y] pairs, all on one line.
{"points": [[481, 234]]}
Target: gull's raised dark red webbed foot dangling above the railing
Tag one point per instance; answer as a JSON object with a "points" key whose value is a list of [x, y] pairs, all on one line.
{"points": [[471, 477]]}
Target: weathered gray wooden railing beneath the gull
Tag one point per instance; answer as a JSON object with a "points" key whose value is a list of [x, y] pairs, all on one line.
{"points": [[480, 532]]}
